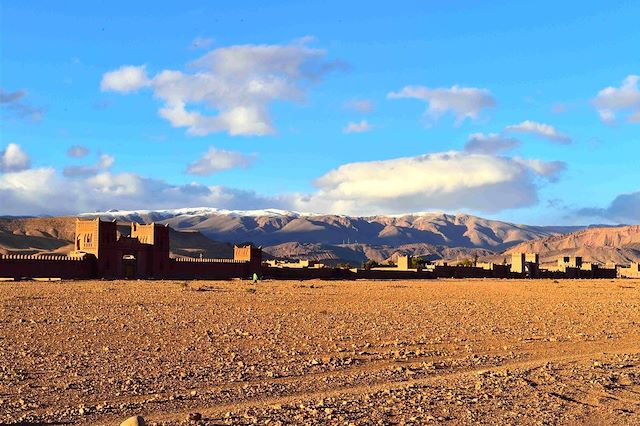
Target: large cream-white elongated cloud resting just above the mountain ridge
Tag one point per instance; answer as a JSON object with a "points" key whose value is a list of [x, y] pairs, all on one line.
{"points": [[447, 180]]}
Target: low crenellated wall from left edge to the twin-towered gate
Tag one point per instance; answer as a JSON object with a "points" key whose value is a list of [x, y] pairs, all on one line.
{"points": [[19, 266]]}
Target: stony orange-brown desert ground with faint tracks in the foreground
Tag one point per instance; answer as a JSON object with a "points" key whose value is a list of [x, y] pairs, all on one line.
{"points": [[321, 352]]}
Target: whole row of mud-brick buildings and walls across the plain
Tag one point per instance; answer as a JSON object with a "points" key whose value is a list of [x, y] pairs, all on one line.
{"points": [[100, 253]]}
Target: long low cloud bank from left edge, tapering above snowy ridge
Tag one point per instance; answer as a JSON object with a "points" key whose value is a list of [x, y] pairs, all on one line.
{"points": [[44, 191]]}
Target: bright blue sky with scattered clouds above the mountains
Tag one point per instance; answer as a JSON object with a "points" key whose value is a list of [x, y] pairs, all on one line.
{"points": [[527, 112]]}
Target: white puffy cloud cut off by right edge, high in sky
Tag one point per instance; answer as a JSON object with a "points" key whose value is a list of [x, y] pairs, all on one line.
{"points": [[626, 98]]}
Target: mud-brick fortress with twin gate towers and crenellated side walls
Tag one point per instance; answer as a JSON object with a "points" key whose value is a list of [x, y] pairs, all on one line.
{"points": [[100, 252]]}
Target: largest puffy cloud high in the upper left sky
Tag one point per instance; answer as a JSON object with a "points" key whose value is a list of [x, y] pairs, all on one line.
{"points": [[238, 83]]}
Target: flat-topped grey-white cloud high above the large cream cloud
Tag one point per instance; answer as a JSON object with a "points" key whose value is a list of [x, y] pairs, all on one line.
{"points": [[463, 102]]}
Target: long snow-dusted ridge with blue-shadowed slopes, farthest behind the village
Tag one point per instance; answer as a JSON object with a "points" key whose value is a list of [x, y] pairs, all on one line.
{"points": [[275, 227]]}
